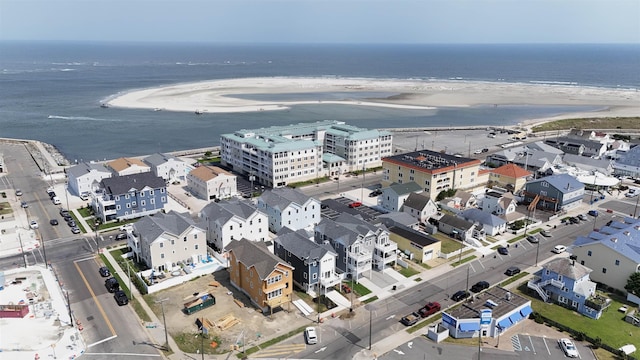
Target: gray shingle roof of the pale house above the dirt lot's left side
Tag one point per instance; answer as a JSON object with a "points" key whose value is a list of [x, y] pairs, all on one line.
{"points": [[174, 223]]}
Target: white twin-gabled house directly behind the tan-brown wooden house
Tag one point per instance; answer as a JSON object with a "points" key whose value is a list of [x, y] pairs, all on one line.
{"points": [[233, 220]]}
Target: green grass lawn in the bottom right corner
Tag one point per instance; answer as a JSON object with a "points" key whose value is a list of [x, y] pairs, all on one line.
{"points": [[611, 327]]}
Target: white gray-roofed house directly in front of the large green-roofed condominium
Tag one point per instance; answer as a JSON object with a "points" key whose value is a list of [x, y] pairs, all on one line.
{"points": [[289, 207]]}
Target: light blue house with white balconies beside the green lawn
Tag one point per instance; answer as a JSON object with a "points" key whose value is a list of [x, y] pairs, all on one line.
{"points": [[567, 283]]}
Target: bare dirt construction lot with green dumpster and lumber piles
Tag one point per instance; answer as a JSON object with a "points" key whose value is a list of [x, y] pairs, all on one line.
{"points": [[258, 327]]}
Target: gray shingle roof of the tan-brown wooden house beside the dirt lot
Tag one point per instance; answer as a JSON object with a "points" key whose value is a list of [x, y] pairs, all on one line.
{"points": [[255, 254]]}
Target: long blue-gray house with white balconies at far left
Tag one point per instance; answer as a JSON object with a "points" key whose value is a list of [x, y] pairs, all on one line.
{"points": [[130, 196]]}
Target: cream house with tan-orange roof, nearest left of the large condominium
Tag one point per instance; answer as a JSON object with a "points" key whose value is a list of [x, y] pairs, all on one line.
{"points": [[212, 183]]}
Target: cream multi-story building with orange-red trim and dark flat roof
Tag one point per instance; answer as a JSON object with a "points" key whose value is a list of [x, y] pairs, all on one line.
{"points": [[434, 172]]}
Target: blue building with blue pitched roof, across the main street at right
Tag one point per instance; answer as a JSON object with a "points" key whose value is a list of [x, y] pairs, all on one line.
{"points": [[555, 192]]}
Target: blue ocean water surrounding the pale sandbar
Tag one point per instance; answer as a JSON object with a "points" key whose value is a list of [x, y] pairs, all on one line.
{"points": [[52, 91]]}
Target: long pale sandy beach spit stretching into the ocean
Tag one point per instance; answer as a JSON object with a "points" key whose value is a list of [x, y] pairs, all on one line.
{"points": [[220, 96]]}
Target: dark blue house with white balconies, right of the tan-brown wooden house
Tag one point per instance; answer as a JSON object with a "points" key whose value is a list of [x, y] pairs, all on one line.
{"points": [[314, 263]]}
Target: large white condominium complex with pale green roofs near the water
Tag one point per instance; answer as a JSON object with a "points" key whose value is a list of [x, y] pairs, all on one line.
{"points": [[278, 155]]}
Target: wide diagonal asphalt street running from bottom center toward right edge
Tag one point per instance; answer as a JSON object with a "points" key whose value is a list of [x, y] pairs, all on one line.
{"points": [[344, 339]]}
